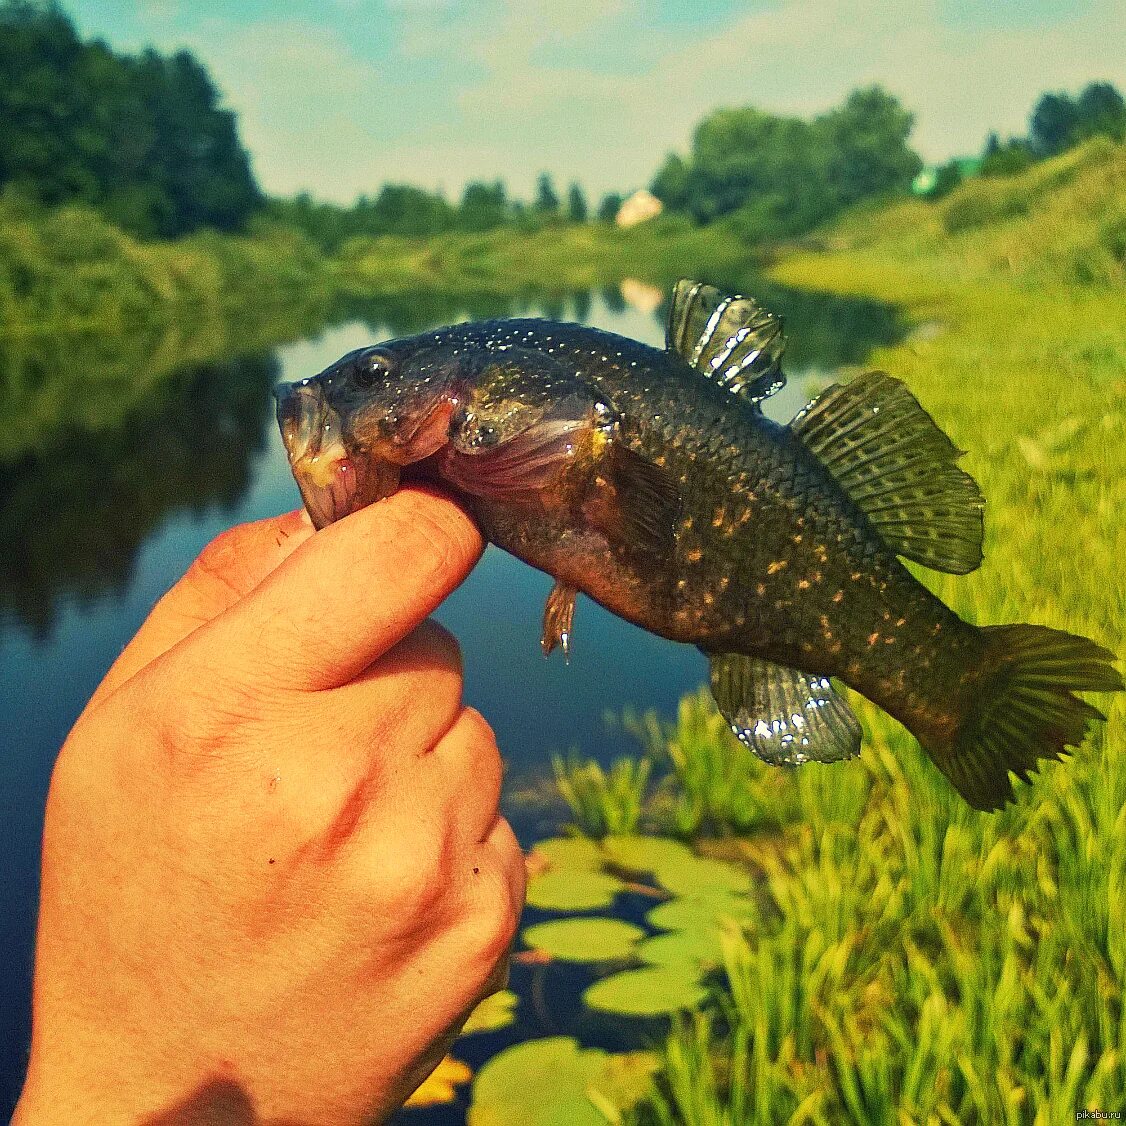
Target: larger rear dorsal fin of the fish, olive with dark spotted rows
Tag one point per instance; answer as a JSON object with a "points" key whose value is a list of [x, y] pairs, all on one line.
{"points": [[891, 458]]}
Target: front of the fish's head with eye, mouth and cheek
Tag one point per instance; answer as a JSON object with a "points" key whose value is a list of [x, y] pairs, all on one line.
{"points": [[351, 431]]}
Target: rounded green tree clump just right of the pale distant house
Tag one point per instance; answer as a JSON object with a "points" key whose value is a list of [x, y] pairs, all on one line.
{"points": [[783, 176]]}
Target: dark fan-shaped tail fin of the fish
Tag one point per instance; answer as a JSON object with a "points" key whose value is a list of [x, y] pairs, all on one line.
{"points": [[1023, 710]]}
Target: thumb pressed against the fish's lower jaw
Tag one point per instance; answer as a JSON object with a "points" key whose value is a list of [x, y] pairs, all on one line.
{"points": [[348, 594]]}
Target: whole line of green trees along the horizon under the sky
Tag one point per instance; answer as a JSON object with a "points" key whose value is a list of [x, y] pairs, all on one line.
{"points": [[147, 141]]}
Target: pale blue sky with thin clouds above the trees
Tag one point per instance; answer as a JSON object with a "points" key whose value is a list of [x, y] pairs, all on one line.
{"points": [[338, 97]]}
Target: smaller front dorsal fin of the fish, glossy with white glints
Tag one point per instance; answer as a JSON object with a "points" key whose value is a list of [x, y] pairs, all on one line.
{"points": [[732, 341]]}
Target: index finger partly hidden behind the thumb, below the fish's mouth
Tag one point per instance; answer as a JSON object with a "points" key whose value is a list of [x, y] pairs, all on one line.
{"points": [[228, 569]]}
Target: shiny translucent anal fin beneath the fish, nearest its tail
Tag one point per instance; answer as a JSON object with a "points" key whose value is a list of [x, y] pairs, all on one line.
{"points": [[784, 716]]}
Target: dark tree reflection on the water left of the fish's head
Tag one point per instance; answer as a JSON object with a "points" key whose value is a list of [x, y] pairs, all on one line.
{"points": [[76, 510]]}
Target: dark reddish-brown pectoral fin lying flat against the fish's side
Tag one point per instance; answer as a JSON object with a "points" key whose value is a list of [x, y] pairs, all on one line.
{"points": [[635, 502]]}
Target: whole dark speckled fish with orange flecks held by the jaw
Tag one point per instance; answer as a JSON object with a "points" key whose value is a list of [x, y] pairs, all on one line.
{"points": [[651, 481]]}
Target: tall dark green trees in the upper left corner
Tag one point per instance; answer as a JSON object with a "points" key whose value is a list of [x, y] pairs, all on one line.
{"points": [[144, 139]]}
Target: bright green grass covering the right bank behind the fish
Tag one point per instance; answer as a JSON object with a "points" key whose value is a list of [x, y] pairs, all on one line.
{"points": [[914, 961]]}
